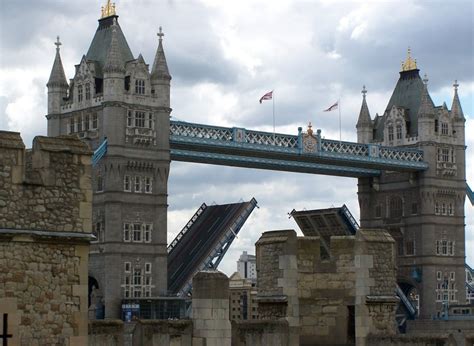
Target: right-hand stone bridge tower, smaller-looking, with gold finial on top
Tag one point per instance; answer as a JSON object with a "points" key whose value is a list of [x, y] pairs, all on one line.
{"points": [[424, 211]]}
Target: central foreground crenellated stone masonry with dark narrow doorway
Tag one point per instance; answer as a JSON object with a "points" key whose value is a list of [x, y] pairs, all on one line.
{"points": [[328, 301]]}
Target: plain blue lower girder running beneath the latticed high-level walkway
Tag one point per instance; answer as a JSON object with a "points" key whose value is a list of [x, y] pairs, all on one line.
{"points": [[269, 163]]}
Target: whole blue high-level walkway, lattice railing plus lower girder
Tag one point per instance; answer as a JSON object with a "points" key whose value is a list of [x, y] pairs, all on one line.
{"points": [[198, 140]]}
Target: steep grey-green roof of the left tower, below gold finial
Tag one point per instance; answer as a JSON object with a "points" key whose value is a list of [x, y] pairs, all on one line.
{"points": [[102, 39]]}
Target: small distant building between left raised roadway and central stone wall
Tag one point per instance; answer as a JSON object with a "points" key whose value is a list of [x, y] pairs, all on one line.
{"points": [[242, 298]]}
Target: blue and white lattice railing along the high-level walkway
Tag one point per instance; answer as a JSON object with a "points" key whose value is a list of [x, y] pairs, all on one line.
{"points": [[183, 134]]}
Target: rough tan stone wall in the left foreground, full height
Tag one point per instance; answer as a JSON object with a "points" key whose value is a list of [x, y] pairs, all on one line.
{"points": [[45, 224]]}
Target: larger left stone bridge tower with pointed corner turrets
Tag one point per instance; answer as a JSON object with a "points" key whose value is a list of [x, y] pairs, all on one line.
{"points": [[113, 95]]}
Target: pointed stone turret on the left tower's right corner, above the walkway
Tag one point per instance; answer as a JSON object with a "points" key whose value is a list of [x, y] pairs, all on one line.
{"points": [[160, 76]]}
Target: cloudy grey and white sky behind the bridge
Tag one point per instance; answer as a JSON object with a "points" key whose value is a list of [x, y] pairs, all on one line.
{"points": [[224, 55]]}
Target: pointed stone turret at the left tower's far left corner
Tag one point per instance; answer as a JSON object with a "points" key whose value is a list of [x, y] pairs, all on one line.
{"points": [[57, 90]]}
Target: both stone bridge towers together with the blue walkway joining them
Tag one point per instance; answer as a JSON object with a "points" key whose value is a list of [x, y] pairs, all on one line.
{"points": [[409, 161]]}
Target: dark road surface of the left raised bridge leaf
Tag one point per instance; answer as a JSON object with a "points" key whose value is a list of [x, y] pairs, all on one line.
{"points": [[197, 243]]}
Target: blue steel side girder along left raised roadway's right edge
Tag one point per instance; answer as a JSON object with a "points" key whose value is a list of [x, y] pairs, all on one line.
{"points": [[217, 253]]}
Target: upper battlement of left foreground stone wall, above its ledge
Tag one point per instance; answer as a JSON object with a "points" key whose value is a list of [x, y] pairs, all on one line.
{"points": [[46, 188]]}
